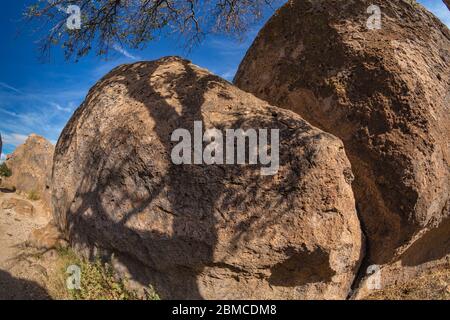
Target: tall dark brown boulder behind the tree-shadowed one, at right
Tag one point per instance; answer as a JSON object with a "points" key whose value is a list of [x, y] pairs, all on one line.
{"points": [[383, 93]]}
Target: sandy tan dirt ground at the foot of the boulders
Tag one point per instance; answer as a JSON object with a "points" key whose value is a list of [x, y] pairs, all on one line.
{"points": [[27, 273]]}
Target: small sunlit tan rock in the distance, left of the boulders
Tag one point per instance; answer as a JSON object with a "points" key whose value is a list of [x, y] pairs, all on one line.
{"points": [[31, 166]]}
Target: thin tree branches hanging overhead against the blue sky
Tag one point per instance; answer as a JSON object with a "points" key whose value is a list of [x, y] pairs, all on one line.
{"points": [[135, 23]]}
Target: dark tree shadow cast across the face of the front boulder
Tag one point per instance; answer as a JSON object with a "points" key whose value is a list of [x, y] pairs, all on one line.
{"points": [[195, 193]]}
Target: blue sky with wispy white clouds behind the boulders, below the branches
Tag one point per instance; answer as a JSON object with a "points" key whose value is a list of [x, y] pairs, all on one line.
{"points": [[38, 97]]}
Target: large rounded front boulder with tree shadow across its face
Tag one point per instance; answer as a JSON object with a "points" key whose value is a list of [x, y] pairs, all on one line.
{"points": [[204, 231]]}
